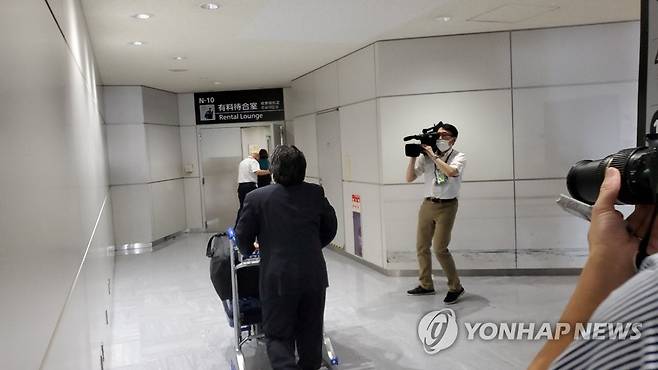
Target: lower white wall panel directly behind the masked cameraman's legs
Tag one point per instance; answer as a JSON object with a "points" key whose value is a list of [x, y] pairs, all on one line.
{"points": [[483, 234]]}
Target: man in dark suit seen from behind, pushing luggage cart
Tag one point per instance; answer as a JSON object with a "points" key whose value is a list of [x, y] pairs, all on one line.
{"points": [[292, 221]]}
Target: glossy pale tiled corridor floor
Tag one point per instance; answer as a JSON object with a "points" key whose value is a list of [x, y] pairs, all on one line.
{"points": [[167, 315]]}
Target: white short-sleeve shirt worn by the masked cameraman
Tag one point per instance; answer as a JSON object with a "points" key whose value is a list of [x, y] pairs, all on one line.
{"points": [[450, 188]]}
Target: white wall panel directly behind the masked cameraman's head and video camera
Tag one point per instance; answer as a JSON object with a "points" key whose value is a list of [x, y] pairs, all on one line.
{"points": [[484, 121]]}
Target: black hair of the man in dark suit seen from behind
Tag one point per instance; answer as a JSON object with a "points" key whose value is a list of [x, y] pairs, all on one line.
{"points": [[288, 165]]}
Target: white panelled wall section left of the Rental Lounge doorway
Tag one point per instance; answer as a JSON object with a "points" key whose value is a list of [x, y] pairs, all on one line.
{"points": [[146, 163]]}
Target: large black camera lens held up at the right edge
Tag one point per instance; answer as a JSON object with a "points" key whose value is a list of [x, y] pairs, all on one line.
{"points": [[639, 176]]}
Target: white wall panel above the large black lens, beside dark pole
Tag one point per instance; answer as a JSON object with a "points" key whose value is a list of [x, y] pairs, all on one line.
{"points": [[555, 127]]}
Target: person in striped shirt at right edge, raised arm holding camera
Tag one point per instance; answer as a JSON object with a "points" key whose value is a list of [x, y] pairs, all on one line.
{"points": [[610, 290]]}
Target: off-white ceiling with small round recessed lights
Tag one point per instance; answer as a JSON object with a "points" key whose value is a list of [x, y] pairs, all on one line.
{"points": [[267, 43]]}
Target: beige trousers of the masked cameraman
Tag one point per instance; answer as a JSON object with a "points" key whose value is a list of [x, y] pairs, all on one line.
{"points": [[435, 221]]}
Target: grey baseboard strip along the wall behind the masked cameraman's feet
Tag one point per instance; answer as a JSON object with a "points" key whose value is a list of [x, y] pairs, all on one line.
{"points": [[462, 272]]}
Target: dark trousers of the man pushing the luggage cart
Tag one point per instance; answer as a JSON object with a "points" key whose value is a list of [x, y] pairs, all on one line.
{"points": [[291, 320]]}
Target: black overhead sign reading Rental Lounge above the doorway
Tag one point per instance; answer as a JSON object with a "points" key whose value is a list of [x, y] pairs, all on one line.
{"points": [[239, 106]]}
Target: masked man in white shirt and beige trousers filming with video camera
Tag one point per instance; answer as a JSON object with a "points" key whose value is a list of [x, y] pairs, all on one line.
{"points": [[442, 173]]}
